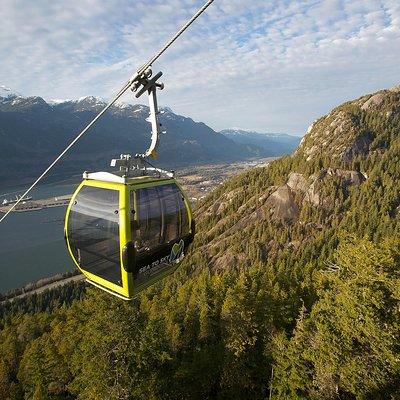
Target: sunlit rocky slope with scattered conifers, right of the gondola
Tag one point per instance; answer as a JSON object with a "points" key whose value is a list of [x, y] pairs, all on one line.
{"points": [[344, 174]]}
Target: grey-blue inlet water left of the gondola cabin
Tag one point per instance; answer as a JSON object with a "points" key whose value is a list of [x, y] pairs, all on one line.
{"points": [[32, 243]]}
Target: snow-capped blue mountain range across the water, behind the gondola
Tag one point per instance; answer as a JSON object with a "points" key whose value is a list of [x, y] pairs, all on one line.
{"points": [[33, 132]]}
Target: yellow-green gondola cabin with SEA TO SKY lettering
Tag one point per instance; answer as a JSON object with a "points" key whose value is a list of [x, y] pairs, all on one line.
{"points": [[125, 234]]}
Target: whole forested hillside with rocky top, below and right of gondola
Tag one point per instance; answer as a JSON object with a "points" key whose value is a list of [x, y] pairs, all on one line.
{"points": [[290, 291]]}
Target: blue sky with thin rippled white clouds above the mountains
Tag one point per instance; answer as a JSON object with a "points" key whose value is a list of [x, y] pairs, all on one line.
{"points": [[270, 66]]}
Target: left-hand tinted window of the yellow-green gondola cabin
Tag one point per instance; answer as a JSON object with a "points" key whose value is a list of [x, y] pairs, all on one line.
{"points": [[93, 230]]}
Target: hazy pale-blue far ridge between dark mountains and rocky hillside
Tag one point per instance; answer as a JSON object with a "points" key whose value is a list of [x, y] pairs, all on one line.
{"points": [[272, 144]]}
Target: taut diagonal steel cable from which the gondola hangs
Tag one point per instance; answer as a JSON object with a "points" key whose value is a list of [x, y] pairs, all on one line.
{"points": [[132, 80]]}
